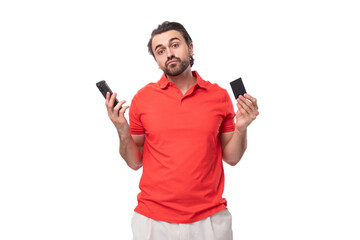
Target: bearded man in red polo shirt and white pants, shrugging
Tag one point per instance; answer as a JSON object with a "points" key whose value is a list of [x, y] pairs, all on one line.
{"points": [[181, 128]]}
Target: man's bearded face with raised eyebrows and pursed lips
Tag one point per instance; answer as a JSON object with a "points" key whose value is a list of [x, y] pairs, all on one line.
{"points": [[171, 52]]}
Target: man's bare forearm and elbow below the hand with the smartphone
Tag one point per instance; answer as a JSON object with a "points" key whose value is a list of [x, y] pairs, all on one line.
{"points": [[130, 152]]}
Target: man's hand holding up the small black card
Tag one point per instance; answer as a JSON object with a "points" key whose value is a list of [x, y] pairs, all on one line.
{"points": [[247, 111]]}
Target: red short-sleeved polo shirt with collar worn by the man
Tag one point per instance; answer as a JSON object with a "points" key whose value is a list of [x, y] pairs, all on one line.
{"points": [[183, 176]]}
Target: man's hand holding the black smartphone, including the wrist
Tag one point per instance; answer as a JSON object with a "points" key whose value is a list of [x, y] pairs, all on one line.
{"points": [[116, 115]]}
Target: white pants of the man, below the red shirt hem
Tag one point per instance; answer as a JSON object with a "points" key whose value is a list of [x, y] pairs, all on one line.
{"points": [[215, 227]]}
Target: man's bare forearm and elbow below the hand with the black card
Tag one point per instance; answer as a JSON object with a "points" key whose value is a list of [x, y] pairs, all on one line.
{"points": [[235, 148]]}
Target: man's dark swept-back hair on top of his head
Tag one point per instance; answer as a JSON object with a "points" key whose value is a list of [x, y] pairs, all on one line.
{"points": [[167, 26]]}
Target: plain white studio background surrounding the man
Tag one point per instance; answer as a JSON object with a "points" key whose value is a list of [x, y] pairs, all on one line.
{"points": [[61, 176]]}
